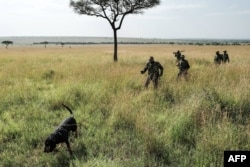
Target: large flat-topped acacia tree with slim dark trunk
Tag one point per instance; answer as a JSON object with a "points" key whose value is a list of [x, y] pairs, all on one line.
{"points": [[114, 11]]}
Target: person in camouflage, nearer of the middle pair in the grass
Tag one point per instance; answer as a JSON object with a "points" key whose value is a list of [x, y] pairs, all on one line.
{"points": [[183, 66]]}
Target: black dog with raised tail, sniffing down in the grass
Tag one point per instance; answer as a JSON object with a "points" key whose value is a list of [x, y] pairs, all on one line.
{"points": [[61, 134]]}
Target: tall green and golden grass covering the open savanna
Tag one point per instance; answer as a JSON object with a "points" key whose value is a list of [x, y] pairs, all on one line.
{"points": [[122, 124]]}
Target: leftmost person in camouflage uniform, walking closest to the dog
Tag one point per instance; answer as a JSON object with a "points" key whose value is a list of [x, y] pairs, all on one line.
{"points": [[155, 71]]}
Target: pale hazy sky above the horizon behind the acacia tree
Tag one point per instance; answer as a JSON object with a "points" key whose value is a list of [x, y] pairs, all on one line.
{"points": [[172, 19]]}
